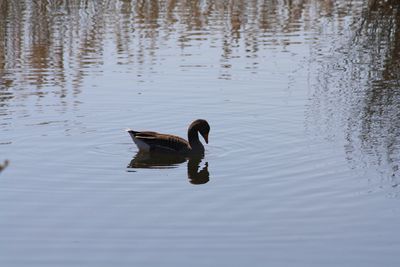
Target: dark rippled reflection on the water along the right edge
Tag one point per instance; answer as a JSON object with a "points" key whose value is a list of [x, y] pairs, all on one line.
{"points": [[362, 85]]}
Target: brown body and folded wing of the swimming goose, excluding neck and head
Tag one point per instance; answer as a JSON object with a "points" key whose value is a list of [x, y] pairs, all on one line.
{"points": [[153, 141]]}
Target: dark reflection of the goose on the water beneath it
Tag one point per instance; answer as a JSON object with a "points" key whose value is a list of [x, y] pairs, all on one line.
{"points": [[152, 160]]}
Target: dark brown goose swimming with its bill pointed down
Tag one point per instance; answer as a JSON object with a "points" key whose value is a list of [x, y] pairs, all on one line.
{"points": [[148, 141]]}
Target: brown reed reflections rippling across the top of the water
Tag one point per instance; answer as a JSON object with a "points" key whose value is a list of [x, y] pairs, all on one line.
{"points": [[58, 43]]}
